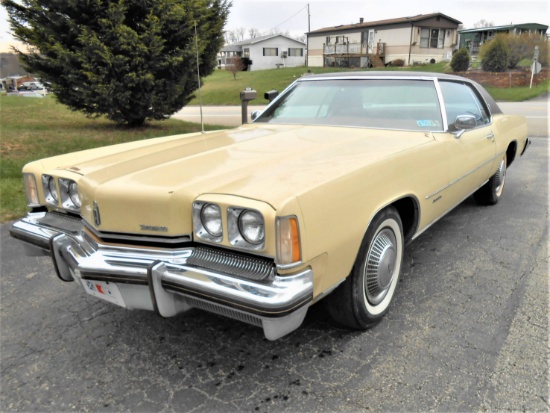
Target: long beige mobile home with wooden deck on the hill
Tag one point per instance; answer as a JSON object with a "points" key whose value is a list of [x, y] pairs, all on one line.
{"points": [[418, 39]]}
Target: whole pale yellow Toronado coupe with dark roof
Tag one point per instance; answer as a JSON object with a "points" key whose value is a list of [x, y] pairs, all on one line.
{"points": [[315, 199]]}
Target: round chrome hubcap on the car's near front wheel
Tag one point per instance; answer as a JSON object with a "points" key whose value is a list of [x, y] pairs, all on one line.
{"points": [[380, 266]]}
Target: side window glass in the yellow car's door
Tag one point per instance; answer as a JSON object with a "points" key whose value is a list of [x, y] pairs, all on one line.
{"points": [[461, 99]]}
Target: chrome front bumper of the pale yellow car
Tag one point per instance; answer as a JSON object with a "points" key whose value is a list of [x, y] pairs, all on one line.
{"points": [[169, 281]]}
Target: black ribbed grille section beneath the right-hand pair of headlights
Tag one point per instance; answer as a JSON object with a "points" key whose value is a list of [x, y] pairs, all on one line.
{"points": [[252, 268]]}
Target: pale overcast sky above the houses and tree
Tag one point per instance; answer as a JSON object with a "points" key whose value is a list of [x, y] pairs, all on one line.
{"points": [[291, 15]]}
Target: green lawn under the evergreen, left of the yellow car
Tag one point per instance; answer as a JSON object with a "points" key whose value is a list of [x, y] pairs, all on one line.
{"points": [[35, 128]]}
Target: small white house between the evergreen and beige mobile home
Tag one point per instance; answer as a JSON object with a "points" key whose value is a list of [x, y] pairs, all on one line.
{"points": [[266, 52]]}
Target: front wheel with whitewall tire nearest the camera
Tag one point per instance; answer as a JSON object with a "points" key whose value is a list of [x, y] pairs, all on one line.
{"points": [[365, 296]]}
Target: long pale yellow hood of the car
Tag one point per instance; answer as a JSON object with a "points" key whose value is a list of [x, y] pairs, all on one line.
{"points": [[269, 163]]}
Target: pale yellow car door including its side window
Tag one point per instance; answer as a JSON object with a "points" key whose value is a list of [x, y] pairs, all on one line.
{"points": [[471, 154]]}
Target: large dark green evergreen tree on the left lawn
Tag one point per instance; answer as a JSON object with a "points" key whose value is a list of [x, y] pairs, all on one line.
{"points": [[130, 60]]}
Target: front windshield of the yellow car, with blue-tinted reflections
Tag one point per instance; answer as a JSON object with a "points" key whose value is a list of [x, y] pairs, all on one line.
{"points": [[372, 103]]}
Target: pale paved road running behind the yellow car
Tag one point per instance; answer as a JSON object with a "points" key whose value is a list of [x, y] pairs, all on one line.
{"points": [[536, 112]]}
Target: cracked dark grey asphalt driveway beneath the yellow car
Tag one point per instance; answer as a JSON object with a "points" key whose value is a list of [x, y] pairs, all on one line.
{"points": [[468, 331]]}
